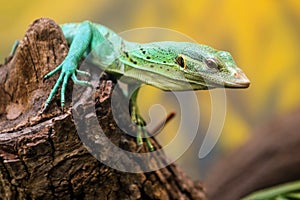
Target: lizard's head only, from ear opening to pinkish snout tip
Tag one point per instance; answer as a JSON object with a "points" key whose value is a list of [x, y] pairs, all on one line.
{"points": [[215, 68]]}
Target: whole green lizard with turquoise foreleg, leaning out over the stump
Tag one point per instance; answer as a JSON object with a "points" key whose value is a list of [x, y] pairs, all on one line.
{"points": [[165, 65]]}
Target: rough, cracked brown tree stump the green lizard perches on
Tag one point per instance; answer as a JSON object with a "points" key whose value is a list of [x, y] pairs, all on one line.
{"points": [[42, 155]]}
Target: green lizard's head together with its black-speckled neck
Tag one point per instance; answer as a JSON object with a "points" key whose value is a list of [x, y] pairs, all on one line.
{"points": [[183, 65]]}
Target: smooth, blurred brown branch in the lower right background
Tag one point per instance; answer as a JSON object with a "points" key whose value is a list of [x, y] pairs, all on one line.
{"points": [[271, 157]]}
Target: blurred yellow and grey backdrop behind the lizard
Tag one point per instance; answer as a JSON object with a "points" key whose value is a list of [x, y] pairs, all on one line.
{"points": [[262, 36]]}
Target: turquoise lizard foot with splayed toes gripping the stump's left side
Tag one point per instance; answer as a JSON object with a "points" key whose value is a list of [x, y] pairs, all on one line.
{"points": [[68, 69]]}
